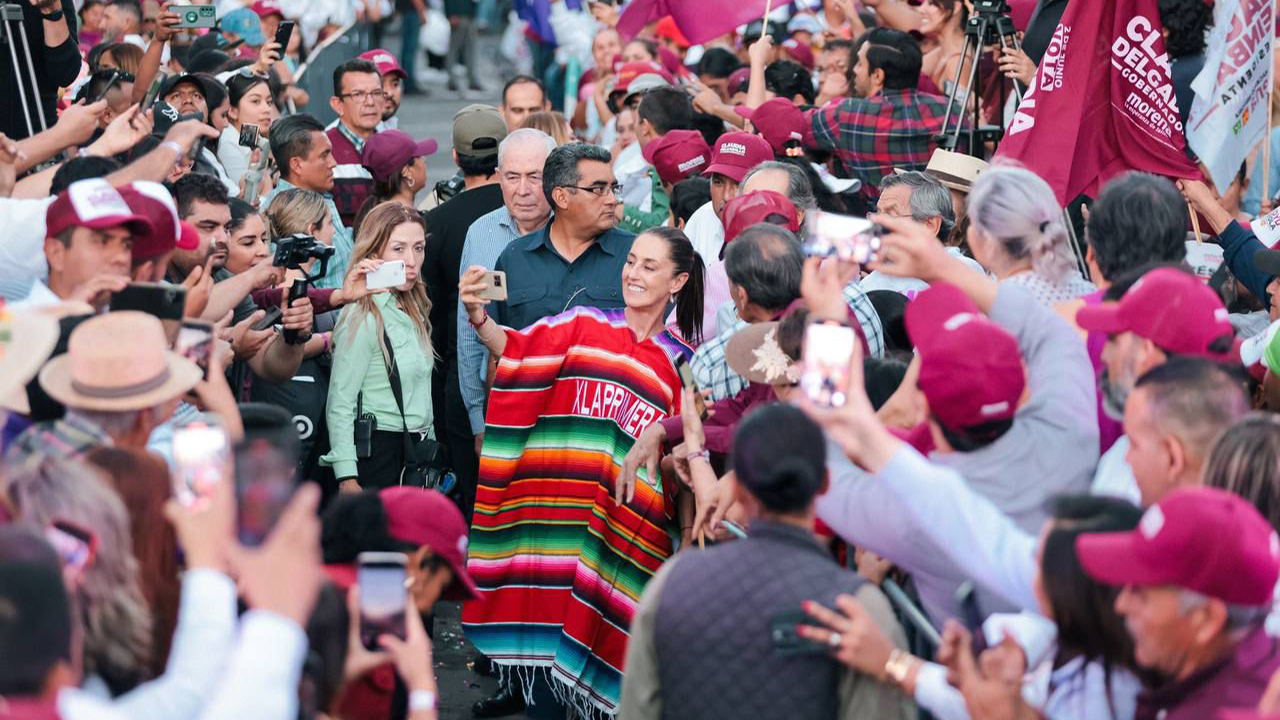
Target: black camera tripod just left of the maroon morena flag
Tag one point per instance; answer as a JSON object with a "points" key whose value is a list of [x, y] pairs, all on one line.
{"points": [[990, 25]]}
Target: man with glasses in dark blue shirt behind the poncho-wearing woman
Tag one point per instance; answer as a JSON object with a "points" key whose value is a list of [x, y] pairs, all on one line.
{"points": [[578, 258]]}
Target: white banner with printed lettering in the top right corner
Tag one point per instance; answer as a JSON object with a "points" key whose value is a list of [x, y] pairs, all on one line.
{"points": [[1229, 116]]}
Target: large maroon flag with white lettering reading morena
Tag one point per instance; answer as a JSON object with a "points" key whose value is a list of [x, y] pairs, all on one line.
{"points": [[1101, 102]]}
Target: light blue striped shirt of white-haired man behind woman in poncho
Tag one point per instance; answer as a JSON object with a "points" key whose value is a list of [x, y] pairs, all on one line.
{"points": [[486, 241]]}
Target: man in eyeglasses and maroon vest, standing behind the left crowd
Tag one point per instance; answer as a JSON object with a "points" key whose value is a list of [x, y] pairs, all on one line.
{"points": [[359, 99]]}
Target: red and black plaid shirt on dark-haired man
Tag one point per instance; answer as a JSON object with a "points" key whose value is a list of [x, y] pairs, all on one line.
{"points": [[874, 136]]}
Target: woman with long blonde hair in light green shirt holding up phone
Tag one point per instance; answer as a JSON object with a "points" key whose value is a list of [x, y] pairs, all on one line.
{"points": [[382, 361]]}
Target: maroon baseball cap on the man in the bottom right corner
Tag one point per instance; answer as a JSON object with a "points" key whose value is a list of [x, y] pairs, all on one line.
{"points": [[1200, 539]]}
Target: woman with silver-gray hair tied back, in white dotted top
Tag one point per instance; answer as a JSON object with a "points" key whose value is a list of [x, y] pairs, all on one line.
{"points": [[1018, 235]]}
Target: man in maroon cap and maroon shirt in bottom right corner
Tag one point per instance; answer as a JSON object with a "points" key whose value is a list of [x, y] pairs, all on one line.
{"points": [[1197, 577]]}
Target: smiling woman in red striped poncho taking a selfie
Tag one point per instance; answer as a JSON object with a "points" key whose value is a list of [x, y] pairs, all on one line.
{"points": [[559, 562]]}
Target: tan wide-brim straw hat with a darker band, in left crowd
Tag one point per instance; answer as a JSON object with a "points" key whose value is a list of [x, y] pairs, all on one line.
{"points": [[118, 362]]}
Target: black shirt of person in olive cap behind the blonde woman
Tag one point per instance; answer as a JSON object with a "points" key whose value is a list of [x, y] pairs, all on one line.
{"points": [[447, 233]]}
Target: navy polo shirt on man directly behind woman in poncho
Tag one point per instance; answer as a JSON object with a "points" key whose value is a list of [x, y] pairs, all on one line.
{"points": [[542, 284]]}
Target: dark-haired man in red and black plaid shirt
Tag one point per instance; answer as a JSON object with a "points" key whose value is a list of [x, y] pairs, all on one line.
{"points": [[889, 124]]}
